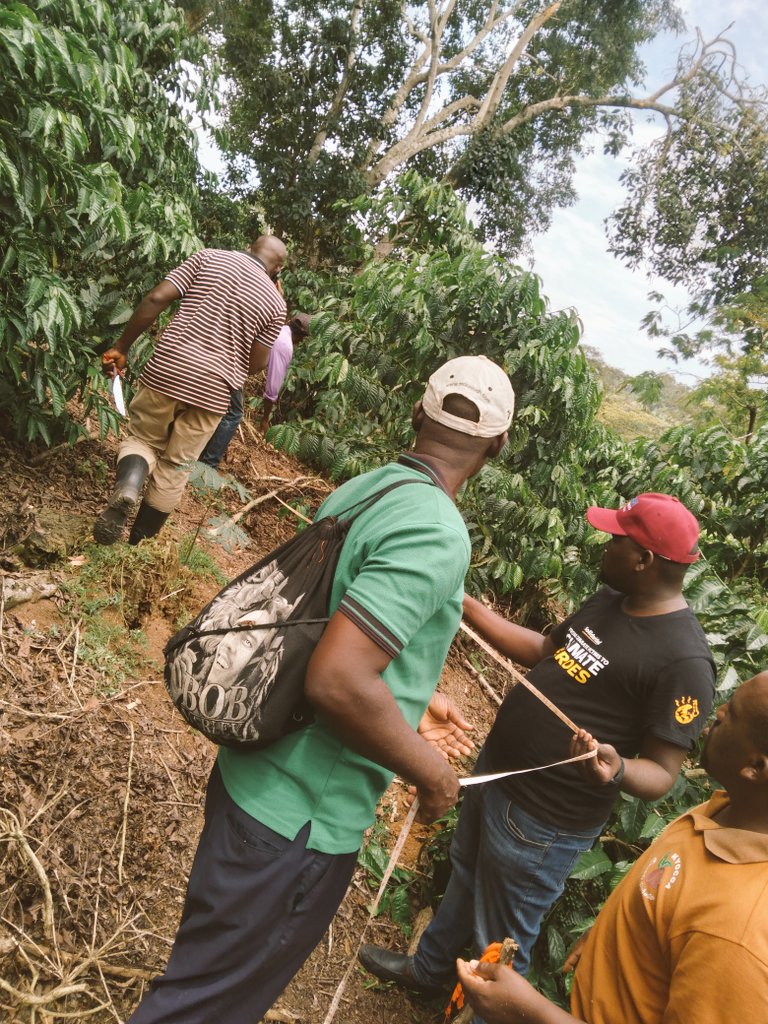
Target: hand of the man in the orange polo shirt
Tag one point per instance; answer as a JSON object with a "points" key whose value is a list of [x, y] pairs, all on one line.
{"points": [[499, 995]]}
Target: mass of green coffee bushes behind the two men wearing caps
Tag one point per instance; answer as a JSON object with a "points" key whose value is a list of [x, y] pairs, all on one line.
{"points": [[420, 297]]}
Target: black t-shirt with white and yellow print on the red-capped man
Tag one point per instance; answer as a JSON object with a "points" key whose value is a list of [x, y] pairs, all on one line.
{"points": [[621, 677]]}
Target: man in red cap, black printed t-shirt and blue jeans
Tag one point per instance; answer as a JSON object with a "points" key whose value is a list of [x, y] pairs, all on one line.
{"points": [[631, 667]]}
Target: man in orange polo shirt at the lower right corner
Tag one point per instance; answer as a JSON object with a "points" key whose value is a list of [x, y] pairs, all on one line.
{"points": [[685, 937]]}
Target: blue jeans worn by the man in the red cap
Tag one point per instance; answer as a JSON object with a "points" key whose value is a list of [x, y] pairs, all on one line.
{"points": [[508, 870]]}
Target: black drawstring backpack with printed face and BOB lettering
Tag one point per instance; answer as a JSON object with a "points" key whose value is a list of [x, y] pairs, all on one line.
{"points": [[237, 671]]}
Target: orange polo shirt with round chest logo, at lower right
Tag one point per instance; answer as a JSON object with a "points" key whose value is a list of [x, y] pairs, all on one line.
{"points": [[685, 938]]}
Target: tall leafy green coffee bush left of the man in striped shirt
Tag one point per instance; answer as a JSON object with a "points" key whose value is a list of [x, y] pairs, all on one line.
{"points": [[98, 172]]}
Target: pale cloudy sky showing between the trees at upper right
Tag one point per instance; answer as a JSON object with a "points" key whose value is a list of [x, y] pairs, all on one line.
{"points": [[572, 259]]}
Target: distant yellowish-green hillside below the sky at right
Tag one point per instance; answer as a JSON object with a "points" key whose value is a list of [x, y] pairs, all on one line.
{"points": [[624, 413]]}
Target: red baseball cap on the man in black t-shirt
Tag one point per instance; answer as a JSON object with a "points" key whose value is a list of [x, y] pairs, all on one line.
{"points": [[658, 523]]}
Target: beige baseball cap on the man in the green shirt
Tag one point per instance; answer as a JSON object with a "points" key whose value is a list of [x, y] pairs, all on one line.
{"points": [[483, 382]]}
